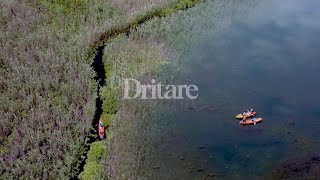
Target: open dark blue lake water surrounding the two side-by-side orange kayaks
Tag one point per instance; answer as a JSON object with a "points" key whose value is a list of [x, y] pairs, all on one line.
{"points": [[269, 61]]}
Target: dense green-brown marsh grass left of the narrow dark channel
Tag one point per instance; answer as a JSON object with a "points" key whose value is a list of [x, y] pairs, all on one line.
{"points": [[46, 83]]}
